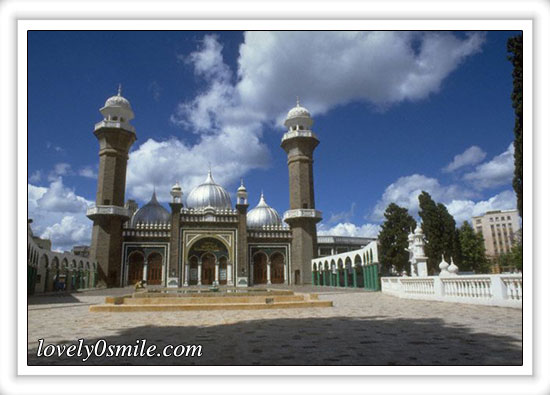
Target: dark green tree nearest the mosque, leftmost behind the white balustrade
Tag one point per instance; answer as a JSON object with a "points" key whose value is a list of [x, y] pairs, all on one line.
{"points": [[393, 237]]}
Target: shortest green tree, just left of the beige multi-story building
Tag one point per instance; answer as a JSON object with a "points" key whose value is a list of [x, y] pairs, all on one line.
{"points": [[472, 246]]}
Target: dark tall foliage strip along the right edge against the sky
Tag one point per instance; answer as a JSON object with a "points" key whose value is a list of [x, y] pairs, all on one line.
{"points": [[515, 50]]}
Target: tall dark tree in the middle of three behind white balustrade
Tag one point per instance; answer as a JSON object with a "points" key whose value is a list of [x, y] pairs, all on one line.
{"points": [[439, 228]]}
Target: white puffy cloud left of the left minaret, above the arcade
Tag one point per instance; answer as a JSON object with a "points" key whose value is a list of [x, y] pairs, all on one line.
{"points": [[59, 214]]}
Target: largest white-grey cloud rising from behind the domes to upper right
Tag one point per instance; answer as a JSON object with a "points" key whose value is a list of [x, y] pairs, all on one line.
{"points": [[326, 69]]}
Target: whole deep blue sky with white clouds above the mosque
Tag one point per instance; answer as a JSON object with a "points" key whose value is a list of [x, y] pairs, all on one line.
{"points": [[396, 113]]}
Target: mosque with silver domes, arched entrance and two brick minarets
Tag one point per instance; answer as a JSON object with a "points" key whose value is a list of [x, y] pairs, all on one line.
{"points": [[205, 239]]}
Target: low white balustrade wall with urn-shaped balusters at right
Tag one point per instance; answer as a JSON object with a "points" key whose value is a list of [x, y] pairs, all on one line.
{"points": [[504, 290]]}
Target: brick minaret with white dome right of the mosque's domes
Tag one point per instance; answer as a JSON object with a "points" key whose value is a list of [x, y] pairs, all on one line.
{"points": [[299, 142]]}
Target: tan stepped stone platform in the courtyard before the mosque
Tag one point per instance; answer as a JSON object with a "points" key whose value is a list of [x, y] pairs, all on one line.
{"points": [[227, 299]]}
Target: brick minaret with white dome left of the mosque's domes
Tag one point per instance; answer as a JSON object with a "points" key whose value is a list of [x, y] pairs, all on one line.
{"points": [[115, 136]]}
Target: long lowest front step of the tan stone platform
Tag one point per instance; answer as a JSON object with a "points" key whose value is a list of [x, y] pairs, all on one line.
{"points": [[213, 306]]}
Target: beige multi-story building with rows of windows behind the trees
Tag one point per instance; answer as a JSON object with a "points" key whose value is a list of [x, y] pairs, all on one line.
{"points": [[500, 230]]}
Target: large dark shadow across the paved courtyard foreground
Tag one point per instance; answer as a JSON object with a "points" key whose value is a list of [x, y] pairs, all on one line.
{"points": [[314, 341]]}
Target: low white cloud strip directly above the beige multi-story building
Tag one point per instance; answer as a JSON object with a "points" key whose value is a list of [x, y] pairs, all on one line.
{"points": [[464, 210]]}
